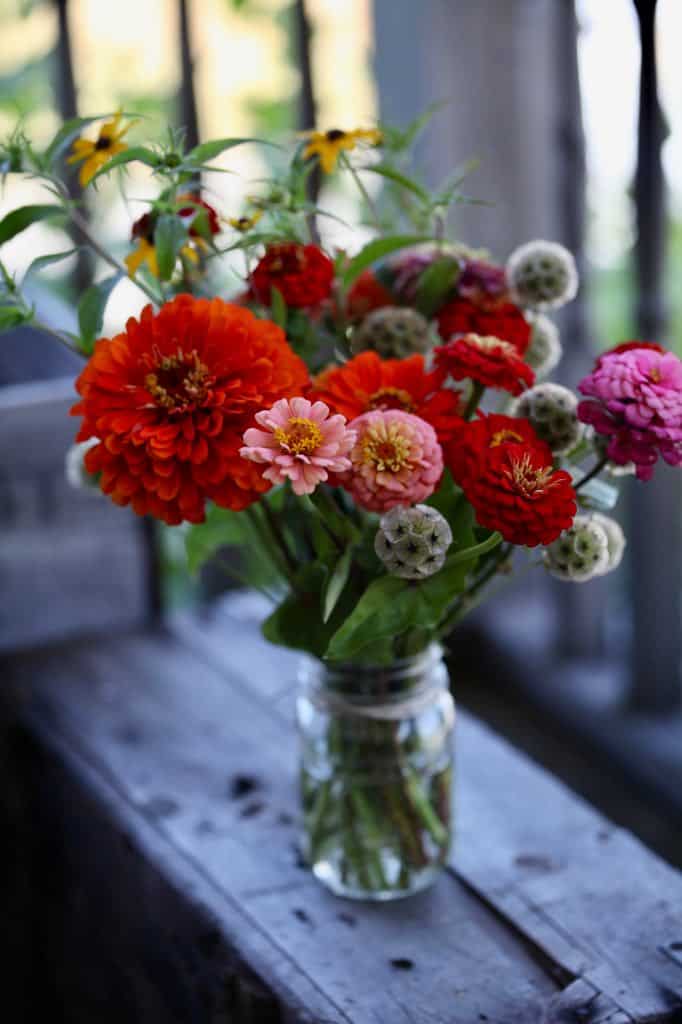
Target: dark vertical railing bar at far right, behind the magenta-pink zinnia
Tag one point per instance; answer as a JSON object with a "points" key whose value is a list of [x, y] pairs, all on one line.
{"points": [[656, 521]]}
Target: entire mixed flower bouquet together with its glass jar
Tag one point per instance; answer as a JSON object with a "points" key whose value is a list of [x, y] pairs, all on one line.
{"points": [[374, 426]]}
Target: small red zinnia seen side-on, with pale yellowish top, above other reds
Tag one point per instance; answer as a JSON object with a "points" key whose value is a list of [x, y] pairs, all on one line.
{"points": [[488, 361]]}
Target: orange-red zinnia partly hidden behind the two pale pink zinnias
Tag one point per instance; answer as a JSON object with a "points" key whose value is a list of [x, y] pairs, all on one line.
{"points": [[367, 382]]}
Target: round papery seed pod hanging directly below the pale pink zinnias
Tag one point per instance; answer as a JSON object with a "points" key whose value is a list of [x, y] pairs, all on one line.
{"points": [[413, 542]]}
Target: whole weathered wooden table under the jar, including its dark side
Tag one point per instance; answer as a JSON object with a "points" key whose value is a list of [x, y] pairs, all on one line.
{"points": [[162, 835]]}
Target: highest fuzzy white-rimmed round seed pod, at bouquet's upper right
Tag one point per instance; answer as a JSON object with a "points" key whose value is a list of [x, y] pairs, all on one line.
{"points": [[542, 275]]}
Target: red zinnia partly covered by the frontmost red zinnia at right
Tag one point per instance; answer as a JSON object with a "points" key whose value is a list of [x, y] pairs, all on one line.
{"points": [[474, 442]]}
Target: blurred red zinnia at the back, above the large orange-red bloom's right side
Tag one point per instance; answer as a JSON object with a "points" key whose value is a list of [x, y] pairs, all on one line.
{"points": [[303, 274]]}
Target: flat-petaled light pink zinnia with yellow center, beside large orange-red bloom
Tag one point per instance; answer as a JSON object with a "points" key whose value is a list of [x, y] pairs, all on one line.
{"points": [[302, 443]]}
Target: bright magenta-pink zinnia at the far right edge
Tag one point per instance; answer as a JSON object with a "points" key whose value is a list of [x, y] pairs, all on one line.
{"points": [[636, 401]]}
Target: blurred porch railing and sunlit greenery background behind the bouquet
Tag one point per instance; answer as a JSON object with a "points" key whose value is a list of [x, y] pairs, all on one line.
{"points": [[574, 111]]}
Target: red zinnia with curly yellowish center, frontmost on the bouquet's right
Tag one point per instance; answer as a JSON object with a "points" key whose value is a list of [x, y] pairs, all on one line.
{"points": [[521, 495]]}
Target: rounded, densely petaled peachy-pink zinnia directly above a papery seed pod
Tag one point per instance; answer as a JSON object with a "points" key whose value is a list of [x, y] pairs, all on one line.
{"points": [[397, 460]]}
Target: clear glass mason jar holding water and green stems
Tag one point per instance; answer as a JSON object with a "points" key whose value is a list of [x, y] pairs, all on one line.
{"points": [[376, 774]]}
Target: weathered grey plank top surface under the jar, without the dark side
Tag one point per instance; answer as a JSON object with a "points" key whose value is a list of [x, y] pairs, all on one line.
{"points": [[544, 890]]}
